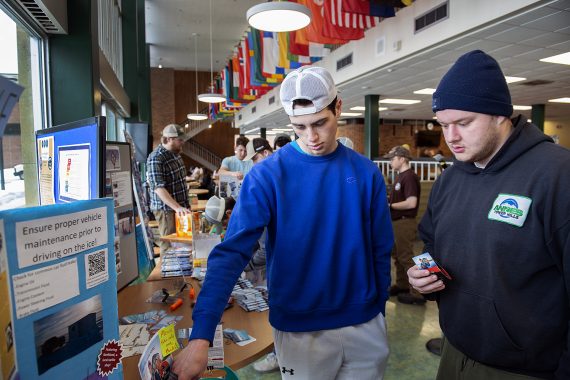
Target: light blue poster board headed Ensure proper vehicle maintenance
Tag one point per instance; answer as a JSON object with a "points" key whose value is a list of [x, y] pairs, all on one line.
{"points": [[62, 281]]}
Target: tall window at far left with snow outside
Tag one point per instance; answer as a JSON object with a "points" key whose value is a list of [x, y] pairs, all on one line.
{"points": [[23, 62]]}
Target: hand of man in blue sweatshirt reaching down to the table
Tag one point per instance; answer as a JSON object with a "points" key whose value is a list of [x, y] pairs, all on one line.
{"points": [[192, 361]]}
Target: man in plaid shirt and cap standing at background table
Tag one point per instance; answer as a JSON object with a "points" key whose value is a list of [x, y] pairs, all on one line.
{"points": [[166, 176]]}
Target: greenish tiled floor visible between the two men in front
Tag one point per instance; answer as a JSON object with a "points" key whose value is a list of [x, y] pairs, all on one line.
{"points": [[409, 328]]}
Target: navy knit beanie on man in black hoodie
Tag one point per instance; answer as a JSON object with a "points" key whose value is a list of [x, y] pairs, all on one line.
{"points": [[475, 83]]}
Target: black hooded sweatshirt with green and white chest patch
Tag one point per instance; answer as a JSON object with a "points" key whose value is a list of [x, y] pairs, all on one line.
{"points": [[502, 233]]}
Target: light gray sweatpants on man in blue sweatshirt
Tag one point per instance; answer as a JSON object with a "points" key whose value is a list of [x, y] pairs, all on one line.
{"points": [[352, 352]]}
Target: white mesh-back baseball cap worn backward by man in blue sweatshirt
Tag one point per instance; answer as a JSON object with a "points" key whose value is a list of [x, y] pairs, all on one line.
{"points": [[314, 84]]}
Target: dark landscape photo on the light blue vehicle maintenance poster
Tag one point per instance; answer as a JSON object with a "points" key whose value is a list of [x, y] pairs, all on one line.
{"points": [[68, 332]]}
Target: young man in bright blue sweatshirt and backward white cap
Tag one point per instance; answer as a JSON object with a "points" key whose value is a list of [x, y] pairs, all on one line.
{"points": [[329, 238]]}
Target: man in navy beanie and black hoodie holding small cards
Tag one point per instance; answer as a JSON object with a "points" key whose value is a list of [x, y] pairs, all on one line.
{"points": [[498, 221]]}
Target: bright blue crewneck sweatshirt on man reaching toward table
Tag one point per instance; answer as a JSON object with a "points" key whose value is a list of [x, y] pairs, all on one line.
{"points": [[329, 238]]}
